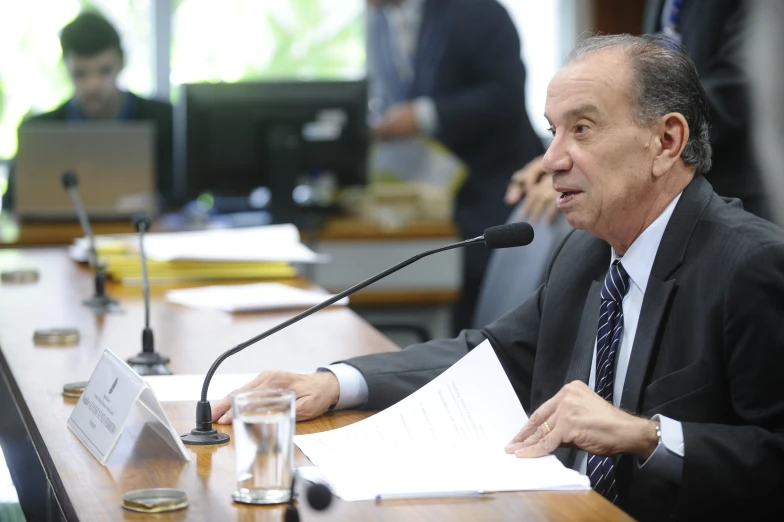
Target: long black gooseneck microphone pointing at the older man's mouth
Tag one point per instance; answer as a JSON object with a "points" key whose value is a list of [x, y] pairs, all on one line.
{"points": [[502, 236]]}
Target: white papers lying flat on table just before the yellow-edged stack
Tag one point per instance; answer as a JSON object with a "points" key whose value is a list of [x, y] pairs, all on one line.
{"points": [[247, 298]]}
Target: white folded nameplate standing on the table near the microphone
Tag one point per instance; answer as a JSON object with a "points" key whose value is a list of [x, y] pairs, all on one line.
{"points": [[105, 407]]}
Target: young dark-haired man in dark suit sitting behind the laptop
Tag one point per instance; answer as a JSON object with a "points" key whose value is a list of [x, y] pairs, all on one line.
{"points": [[94, 58]]}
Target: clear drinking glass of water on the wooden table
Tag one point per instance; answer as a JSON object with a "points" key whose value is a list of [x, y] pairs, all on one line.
{"points": [[263, 422]]}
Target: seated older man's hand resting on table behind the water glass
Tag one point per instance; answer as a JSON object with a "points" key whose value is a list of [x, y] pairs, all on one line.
{"points": [[315, 392]]}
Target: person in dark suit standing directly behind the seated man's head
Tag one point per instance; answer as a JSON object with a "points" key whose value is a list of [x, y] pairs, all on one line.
{"points": [[712, 32]]}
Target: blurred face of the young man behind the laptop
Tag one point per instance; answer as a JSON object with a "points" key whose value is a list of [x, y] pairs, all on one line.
{"points": [[95, 80]]}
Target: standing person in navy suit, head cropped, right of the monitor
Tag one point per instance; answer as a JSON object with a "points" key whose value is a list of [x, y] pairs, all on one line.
{"points": [[452, 69]]}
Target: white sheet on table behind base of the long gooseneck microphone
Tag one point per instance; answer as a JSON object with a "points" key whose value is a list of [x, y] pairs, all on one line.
{"points": [[172, 388]]}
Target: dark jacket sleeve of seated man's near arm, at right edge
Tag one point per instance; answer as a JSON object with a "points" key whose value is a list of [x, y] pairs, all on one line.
{"points": [[744, 461]]}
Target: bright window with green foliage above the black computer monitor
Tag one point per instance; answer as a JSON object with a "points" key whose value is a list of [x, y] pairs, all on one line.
{"points": [[252, 39]]}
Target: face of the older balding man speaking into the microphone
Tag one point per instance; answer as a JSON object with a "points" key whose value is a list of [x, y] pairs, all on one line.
{"points": [[600, 158]]}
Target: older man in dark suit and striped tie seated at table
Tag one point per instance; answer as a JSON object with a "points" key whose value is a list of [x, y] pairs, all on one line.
{"points": [[651, 357]]}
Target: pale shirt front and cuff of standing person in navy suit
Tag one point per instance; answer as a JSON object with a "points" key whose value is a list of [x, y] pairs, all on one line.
{"points": [[405, 21]]}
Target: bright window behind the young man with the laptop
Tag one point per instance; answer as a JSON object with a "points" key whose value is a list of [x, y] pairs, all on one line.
{"points": [[32, 77]]}
